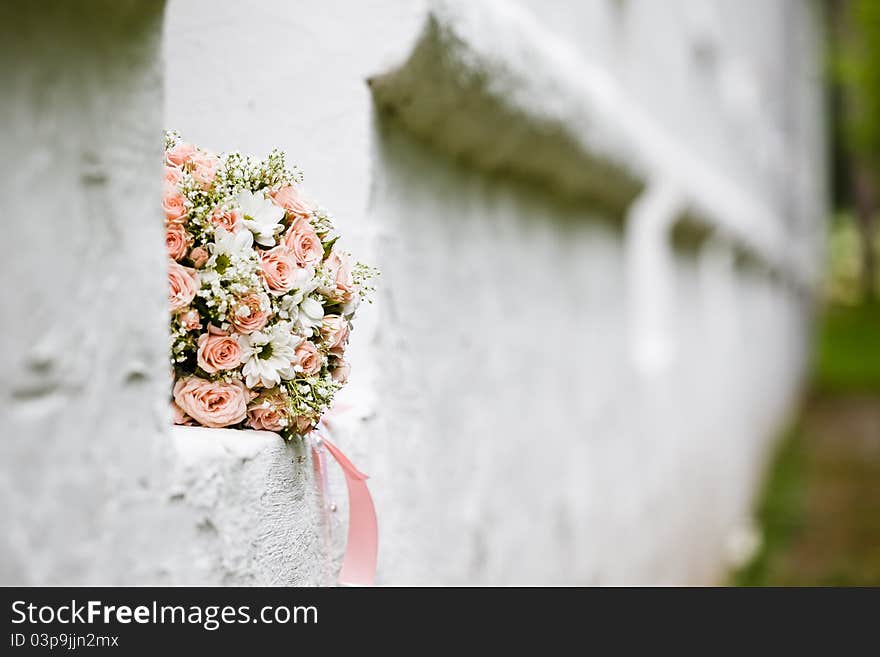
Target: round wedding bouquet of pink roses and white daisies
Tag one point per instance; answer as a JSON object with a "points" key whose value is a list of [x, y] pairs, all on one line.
{"points": [[261, 295]]}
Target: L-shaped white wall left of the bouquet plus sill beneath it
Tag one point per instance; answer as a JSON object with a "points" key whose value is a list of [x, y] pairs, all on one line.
{"points": [[95, 487]]}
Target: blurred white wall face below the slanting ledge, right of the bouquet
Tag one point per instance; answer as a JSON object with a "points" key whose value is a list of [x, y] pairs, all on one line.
{"points": [[517, 440]]}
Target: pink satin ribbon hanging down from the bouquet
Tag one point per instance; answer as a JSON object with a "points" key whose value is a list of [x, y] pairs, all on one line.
{"points": [[361, 549]]}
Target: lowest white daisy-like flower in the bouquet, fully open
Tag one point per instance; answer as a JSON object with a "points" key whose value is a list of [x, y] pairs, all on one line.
{"points": [[267, 355]]}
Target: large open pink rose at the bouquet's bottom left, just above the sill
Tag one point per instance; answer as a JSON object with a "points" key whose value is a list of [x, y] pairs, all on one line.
{"points": [[212, 403]]}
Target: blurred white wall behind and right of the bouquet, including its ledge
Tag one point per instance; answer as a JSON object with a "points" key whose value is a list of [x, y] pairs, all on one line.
{"points": [[548, 391]]}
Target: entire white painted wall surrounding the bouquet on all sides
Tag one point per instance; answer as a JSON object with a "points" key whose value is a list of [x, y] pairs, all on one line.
{"points": [[514, 428]]}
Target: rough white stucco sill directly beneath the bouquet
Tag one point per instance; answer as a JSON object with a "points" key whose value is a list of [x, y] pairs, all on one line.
{"points": [[247, 509]]}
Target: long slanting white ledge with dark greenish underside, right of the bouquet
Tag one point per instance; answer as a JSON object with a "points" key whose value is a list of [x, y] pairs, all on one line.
{"points": [[486, 84]]}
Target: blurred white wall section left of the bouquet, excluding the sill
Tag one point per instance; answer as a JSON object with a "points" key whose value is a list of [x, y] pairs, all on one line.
{"points": [[83, 275]]}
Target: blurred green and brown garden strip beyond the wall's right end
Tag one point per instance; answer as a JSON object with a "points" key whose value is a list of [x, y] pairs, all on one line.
{"points": [[818, 510]]}
